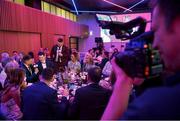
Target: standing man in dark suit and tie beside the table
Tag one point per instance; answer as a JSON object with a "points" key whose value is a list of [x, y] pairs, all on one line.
{"points": [[60, 55]]}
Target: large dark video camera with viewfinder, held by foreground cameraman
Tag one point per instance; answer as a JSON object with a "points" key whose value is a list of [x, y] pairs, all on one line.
{"points": [[139, 58]]}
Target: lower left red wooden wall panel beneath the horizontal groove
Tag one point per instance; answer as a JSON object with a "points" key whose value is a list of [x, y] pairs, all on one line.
{"points": [[22, 42]]}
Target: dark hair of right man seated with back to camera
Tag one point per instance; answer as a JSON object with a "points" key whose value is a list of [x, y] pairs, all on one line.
{"points": [[95, 74]]}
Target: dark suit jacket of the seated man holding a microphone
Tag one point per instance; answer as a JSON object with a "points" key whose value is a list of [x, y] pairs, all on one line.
{"points": [[31, 78]]}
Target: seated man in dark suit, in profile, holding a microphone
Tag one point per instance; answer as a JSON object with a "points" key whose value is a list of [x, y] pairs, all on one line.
{"points": [[31, 72]]}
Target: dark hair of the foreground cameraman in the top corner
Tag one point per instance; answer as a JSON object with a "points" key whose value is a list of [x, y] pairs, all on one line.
{"points": [[169, 8]]}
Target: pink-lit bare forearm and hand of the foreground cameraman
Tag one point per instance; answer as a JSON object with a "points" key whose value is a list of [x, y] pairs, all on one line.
{"points": [[120, 96]]}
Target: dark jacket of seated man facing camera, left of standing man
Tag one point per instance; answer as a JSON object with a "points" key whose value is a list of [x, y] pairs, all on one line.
{"points": [[49, 64]]}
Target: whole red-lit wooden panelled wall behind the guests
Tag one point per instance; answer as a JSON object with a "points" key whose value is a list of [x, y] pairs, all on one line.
{"points": [[30, 29]]}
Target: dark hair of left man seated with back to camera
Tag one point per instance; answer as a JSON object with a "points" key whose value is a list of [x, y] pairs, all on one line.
{"points": [[47, 74]]}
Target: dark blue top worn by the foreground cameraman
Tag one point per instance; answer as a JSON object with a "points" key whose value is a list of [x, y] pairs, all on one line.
{"points": [[162, 103]]}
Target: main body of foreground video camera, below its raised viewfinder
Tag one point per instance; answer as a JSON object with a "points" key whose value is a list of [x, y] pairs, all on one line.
{"points": [[139, 58]]}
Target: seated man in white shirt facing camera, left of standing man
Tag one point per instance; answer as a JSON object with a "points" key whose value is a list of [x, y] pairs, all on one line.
{"points": [[43, 62]]}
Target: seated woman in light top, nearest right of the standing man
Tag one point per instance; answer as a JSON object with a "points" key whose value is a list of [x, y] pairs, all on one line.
{"points": [[74, 65]]}
